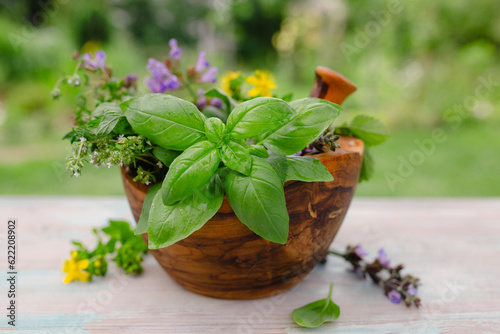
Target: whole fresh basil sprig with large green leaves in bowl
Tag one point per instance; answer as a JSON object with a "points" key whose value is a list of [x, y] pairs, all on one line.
{"points": [[247, 159]]}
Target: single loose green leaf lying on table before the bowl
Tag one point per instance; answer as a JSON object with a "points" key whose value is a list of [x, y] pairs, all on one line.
{"points": [[318, 312]]}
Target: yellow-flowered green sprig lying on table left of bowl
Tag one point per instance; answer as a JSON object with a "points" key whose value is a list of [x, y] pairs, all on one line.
{"points": [[116, 241]]}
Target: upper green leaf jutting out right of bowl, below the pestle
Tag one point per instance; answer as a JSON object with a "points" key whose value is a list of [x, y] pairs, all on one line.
{"points": [[370, 130]]}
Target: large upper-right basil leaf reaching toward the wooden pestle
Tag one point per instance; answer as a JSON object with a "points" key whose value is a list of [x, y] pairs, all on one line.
{"points": [[311, 118]]}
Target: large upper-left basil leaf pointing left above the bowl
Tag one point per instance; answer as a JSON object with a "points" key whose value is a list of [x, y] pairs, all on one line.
{"points": [[166, 120]]}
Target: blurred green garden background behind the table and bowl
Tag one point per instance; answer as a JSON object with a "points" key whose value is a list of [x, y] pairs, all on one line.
{"points": [[419, 66]]}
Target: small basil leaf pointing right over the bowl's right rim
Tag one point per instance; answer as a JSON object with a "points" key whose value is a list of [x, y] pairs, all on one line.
{"points": [[307, 169]]}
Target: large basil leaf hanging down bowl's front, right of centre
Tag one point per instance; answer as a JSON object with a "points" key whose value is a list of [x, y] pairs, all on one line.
{"points": [[259, 201]]}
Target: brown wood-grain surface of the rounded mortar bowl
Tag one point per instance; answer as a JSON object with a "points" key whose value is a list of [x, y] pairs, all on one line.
{"points": [[225, 259]]}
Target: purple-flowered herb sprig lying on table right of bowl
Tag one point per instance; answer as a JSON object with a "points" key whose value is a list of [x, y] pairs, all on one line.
{"points": [[396, 286]]}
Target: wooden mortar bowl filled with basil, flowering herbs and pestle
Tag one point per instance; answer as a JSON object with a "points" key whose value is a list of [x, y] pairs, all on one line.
{"points": [[237, 193]]}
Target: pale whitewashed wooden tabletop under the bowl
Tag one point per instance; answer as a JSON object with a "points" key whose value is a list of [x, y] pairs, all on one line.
{"points": [[453, 245]]}
